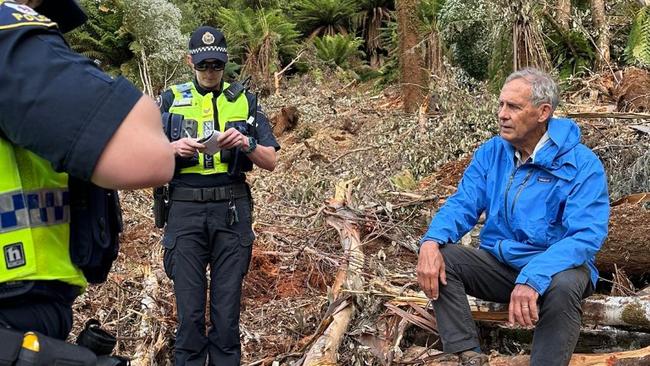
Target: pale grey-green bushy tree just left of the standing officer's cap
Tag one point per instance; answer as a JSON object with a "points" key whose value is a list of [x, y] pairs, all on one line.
{"points": [[158, 42]]}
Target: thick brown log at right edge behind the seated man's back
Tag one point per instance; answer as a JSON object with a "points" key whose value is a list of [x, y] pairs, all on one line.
{"points": [[628, 241]]}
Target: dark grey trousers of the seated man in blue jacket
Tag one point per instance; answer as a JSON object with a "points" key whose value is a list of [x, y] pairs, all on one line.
{"points": [[477, 273]]}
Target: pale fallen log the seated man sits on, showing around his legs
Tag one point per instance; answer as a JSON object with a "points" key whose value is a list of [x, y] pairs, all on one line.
{"points": [[632, 312]]}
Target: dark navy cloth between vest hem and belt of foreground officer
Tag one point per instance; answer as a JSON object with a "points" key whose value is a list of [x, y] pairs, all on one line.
{"points": [[46, 316]]}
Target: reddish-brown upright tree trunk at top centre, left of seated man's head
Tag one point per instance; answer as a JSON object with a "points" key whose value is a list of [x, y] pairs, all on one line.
{"points": [[413, 77]]}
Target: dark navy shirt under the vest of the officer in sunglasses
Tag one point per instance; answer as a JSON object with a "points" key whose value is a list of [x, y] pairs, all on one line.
{"points": [[264, 137]]}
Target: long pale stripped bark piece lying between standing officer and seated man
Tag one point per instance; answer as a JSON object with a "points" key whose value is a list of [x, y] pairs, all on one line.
{"points": [[324, 350]]}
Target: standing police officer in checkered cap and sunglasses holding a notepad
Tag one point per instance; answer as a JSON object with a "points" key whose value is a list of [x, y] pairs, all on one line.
{"points": [[209, 219]]}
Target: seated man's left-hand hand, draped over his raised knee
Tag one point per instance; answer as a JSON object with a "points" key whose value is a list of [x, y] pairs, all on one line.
{"points": [[431, 268]]}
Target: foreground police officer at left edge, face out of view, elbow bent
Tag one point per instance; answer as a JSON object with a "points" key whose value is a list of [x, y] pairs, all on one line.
{"points": [[62, 120]]}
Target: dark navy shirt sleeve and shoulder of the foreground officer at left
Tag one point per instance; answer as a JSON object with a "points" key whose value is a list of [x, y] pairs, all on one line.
{"points": [[54, 101]]}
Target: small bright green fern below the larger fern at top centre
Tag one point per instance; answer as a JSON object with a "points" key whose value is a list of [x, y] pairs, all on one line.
{"points": [[338, 49]]}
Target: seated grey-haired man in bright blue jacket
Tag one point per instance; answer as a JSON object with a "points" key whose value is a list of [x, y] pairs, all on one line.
{"points": [[545, 200]]}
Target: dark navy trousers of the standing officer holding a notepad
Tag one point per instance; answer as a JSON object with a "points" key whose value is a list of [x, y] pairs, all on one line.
{"points": [[198, 234]]}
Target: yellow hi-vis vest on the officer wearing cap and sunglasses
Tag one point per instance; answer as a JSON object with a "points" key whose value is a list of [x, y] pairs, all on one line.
{"points": [[191, 104]]}
